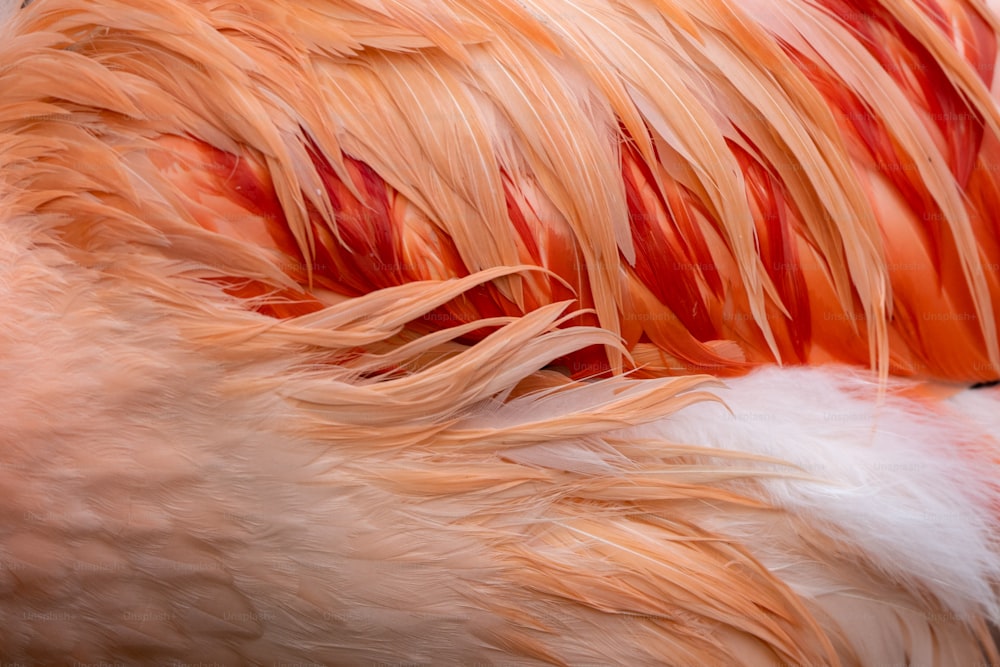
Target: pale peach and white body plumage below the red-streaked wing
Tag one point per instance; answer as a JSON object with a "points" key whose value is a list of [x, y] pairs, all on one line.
{"points": [[186, 479]]}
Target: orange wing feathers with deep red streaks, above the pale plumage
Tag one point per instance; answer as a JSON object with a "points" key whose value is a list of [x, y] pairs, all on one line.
{"points": [[724, 185]]}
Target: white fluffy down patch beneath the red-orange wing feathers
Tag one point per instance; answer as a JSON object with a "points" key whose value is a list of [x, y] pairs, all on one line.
{"points": [[906, 483]]}
